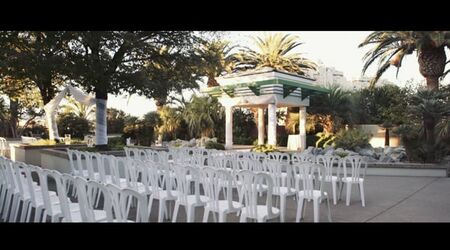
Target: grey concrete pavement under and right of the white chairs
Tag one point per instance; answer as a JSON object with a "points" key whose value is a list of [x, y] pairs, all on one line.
{"points": [[388, 199]]}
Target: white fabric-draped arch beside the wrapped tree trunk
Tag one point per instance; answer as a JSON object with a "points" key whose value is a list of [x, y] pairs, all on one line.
{"points": [[51, 107]]}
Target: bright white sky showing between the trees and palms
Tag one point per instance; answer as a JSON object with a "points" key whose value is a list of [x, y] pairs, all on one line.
{"points": [[338, 49]]}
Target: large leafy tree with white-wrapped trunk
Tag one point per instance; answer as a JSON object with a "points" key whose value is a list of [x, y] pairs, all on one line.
{"points": [[147, 63]]}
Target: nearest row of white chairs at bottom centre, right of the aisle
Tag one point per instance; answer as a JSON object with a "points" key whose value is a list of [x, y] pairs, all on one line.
{"points": [[213, 182]]}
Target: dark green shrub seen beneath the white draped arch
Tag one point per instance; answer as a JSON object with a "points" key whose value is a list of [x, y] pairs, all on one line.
{"points": [[77, 127]]}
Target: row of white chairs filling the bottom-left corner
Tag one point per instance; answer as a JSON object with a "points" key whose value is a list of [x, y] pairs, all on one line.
{"points": [[58, 206]]}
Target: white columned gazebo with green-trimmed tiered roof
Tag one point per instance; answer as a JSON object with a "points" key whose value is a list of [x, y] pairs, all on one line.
{"points": [[265, 88]]}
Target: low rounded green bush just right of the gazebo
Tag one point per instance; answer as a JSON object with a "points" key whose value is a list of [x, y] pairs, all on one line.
{"points": [[352, 138]]}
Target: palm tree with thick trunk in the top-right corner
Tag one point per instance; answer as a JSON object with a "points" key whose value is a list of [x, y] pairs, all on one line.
{"points": [[392, 46]]}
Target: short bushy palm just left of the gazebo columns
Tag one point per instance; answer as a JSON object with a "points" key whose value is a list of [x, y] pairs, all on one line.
{"points": [[201, 115]]}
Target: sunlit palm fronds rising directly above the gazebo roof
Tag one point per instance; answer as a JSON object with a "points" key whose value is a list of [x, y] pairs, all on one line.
{"points": [[275, 51]]}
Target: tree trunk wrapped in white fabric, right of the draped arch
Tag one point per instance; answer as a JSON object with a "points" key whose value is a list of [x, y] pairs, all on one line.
{"points": [[101, 135]]}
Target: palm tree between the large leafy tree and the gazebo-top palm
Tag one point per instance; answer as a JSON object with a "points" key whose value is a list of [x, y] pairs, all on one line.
{"points": [[217, 59]]}
